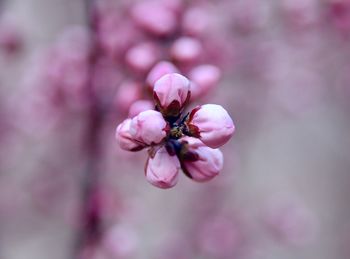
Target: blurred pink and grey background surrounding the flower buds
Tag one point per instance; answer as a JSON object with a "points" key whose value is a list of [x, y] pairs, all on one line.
{"points": [[284, 191]]}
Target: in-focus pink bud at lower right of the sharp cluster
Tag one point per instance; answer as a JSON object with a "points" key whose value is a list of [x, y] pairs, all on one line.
{"points": [[207, 165]]}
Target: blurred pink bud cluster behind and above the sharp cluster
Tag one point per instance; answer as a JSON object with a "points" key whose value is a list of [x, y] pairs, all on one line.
{"points": [[158, 37]]}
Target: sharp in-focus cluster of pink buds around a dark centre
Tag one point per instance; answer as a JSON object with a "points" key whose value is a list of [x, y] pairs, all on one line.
{"points": [[176, 140]]}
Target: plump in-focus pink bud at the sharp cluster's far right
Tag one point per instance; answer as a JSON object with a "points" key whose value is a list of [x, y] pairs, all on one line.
{"points": [[212, 124]]}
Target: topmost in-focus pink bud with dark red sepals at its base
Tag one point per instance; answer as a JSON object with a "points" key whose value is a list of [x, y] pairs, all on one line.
{"points": [[171, 93]]}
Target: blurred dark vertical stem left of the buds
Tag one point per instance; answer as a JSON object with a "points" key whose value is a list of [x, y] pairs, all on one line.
{"points": [[90, 219]]}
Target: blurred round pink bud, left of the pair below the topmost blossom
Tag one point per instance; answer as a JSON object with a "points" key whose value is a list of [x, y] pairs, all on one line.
{"points": [[142, 57]]}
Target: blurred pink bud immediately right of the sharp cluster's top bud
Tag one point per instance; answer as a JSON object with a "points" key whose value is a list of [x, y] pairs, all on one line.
{"points": [[204, 78]]}
